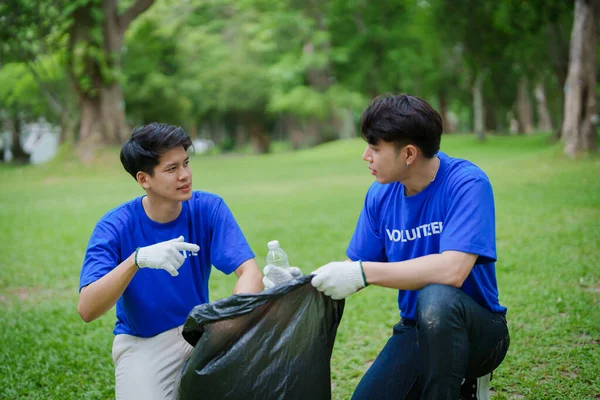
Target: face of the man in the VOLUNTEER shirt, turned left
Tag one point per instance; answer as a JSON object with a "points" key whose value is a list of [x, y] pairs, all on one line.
{"points": [[385, 162]]}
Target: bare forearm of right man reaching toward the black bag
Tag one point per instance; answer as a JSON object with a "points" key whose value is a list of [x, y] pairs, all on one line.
{"points": [[449, 268]]}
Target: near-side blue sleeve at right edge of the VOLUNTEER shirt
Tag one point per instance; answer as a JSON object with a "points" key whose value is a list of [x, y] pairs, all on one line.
{"points": [[470, 225]]}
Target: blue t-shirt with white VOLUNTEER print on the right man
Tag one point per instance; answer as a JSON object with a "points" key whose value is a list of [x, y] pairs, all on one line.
{"points": [[454, 212]]}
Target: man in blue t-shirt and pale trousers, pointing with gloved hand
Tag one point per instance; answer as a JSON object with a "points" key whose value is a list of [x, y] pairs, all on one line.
{"points": [[152, 257]]}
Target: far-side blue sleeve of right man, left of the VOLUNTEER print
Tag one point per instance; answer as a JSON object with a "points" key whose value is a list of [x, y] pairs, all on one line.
{"points": [[367, 243]]}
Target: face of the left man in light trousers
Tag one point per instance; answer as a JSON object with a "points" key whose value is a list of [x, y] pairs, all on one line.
{"points": [[172, 179]]}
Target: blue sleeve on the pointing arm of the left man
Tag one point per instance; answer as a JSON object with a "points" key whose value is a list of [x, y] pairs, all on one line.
{"points": [[101, 256]]}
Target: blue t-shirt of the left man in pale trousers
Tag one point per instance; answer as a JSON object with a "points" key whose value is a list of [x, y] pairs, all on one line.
{"points": [[154, 301]]}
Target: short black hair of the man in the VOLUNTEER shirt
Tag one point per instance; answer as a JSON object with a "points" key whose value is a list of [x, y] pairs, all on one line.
{"points": [[402, 119]]}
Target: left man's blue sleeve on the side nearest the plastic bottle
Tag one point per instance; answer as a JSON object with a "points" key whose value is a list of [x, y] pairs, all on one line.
{"points": [[228, 247]]}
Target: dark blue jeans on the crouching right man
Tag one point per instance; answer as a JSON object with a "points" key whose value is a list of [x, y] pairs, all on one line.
{"points": [[453, 338]]}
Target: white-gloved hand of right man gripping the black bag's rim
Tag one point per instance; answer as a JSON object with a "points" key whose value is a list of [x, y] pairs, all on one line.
{"points": [[340, 279]]}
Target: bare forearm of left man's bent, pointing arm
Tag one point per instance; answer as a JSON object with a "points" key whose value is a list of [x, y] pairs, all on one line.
{"points": [[100, 296]]}
